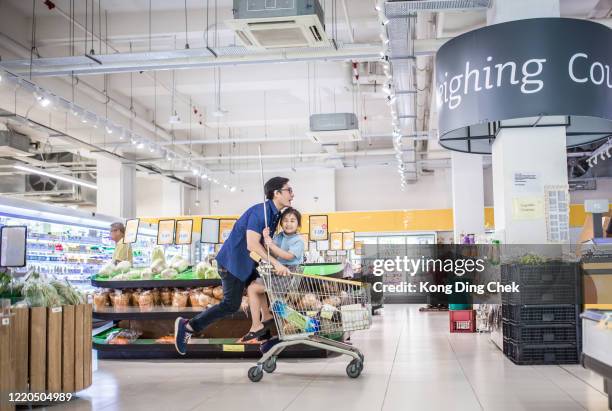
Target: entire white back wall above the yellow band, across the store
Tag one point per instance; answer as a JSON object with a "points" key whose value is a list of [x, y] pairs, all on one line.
{"points": [[349, 190]]}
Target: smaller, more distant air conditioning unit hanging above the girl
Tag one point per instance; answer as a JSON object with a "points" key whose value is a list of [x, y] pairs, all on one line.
{"points": [[333, 128]]}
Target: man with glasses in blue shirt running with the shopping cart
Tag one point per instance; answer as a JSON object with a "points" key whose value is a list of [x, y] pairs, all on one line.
{"points": [[236, 267]]}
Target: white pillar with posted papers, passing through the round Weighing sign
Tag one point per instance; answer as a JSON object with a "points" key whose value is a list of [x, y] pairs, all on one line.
{"points": [[525, 160]]}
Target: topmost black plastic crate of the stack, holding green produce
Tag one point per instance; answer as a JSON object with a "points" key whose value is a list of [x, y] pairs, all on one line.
{"points": [[553, 273]]}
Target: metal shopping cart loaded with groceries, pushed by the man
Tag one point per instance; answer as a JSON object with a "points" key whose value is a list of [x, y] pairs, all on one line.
{"points": [[314, 311]]}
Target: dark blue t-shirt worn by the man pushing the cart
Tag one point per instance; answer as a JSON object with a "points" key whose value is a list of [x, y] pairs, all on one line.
{"points": [[234, 255]]}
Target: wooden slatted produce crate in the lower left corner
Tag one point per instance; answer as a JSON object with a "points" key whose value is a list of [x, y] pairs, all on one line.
{"points": [[46, 350]]}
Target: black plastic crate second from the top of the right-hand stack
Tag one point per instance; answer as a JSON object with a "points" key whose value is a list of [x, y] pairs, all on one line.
{"points": [[557, 295]]}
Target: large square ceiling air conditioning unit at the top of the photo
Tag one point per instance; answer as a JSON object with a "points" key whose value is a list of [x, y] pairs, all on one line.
{"points": [[271, 24]]}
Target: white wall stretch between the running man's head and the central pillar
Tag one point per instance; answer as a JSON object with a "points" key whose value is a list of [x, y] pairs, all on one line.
{"points": [[379, 189]]}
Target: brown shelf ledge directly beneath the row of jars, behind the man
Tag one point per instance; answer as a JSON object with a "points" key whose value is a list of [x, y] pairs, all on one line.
{"points": [[156, 313]]}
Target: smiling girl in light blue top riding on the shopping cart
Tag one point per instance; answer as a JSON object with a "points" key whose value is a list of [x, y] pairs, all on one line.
{"points": [[288, 248]]}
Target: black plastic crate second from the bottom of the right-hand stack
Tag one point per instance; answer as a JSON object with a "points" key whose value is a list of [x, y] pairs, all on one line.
{"points": [[541, 334]]}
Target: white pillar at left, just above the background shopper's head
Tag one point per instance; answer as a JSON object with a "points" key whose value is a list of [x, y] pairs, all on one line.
{"points": [[115, 196]]}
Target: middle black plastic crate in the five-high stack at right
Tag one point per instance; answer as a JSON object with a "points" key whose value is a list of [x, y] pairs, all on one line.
{"points": [[541, 314]]}
